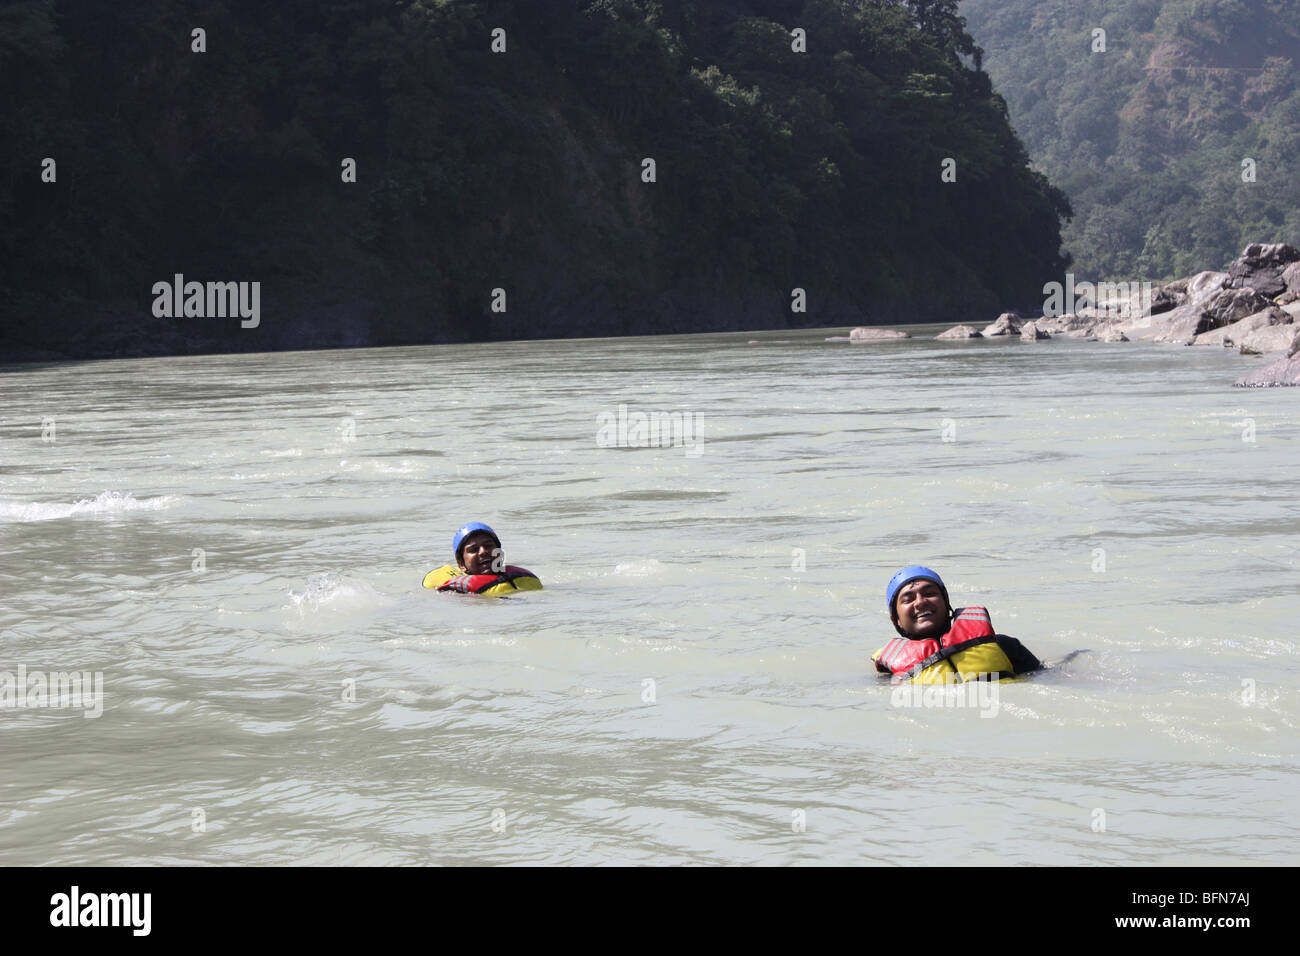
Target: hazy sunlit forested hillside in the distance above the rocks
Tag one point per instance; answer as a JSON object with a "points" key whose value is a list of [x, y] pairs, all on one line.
{"points": [[1149, 139]]}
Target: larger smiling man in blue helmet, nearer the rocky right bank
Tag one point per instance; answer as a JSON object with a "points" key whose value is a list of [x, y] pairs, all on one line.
{"points": [[937, 644]]}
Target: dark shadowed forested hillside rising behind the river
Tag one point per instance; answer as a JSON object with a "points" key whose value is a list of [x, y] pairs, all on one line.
{"points": [[521, 170]]}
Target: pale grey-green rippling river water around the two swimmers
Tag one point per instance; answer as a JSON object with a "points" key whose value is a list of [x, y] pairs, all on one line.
{"points": [[236, 546]]}
